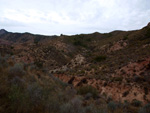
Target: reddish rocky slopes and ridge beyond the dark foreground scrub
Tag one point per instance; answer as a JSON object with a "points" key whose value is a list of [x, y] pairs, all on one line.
{"points": [[117, 64]]}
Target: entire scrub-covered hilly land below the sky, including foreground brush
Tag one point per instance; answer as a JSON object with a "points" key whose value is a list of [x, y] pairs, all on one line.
{"points": [[98, 71]]}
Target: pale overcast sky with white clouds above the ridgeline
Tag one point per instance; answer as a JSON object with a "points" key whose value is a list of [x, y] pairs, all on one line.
{"points": [[55, 17]]}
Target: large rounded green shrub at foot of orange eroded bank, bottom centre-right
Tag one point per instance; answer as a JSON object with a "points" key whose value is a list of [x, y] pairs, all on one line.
{"points": [[87, 89]]}
